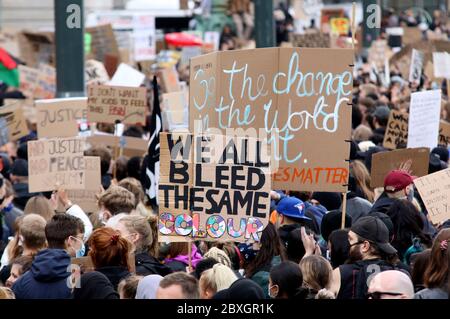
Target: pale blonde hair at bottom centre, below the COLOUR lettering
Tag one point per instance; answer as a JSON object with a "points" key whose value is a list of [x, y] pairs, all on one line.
{"points": [[217, 278]]}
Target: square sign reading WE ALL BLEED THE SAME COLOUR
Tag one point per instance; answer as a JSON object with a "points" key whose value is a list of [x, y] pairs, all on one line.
{"points": [[213, 187]]}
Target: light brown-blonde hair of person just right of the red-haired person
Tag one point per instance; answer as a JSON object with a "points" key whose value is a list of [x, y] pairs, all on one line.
{"points": [[141, 225]]}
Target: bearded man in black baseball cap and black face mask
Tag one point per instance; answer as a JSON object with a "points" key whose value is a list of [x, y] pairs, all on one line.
{"points": [[370, 253]]}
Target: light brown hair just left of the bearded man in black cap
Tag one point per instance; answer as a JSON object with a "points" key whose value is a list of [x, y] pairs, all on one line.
{"points": [[316, 272]]}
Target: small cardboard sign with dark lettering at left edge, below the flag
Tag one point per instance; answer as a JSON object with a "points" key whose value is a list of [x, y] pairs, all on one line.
{"points": [[14, 125]]}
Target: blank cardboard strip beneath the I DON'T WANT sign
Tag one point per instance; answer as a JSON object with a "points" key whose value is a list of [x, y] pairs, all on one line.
{"points": [[132, 146]]}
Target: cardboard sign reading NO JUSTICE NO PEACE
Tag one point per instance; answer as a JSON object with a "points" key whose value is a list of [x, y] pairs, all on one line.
{"points": [[57, 161]]}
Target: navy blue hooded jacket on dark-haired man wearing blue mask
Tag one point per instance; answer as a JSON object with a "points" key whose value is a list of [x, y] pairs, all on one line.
{"points": [[47, 278]]}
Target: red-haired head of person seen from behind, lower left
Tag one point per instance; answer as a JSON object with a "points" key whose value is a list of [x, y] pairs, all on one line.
{"points": [[108, 248]]}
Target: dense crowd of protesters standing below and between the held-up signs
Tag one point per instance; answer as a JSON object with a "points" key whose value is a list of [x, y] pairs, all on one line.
{"points": [[388, 248]]}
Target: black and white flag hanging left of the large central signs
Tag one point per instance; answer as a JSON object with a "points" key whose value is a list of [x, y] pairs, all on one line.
{"points": [[150, 173]]}
